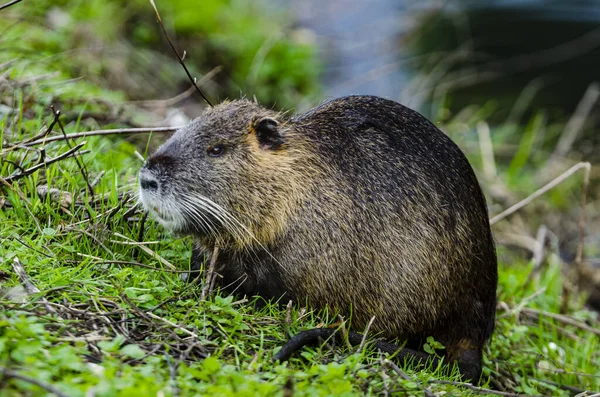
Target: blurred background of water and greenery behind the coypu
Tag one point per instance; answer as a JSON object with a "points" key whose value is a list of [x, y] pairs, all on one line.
{"points": [[514, 83]]}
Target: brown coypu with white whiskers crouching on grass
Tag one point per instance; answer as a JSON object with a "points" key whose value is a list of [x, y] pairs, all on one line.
{"points": [[361, 205]]}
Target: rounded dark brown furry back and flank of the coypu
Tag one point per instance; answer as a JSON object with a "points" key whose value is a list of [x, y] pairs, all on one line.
{"points": [[398, 225]]}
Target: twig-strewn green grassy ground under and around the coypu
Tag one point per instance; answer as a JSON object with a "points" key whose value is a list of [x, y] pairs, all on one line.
{"points": [[93, 304]]}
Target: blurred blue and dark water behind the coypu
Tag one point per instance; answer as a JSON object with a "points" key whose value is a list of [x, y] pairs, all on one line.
{"points": [[476, 50]]}
